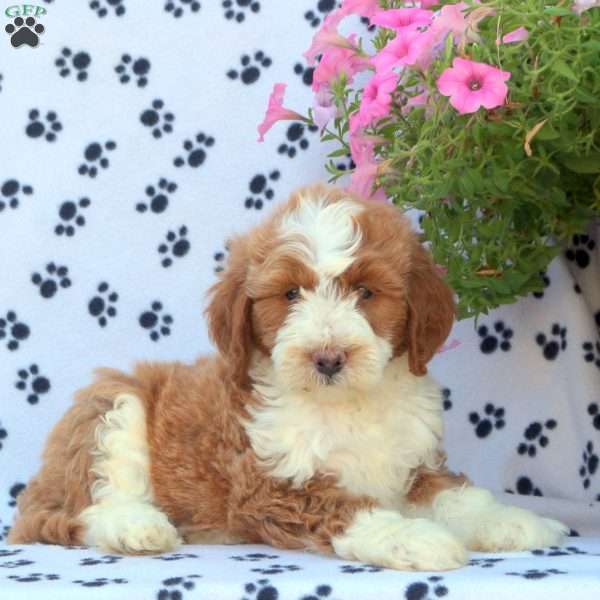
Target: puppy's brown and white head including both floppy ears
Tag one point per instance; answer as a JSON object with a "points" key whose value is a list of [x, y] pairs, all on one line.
{"points": [[330, 288]]}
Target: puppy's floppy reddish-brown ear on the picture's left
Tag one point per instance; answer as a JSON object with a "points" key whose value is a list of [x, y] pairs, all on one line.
{"points": [[229, 313]]}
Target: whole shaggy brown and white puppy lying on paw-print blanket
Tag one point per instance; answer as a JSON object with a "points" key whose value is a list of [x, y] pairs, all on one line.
{"points": [[315, 427]]}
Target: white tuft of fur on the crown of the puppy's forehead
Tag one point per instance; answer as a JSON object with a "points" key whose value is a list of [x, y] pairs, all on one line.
{"points": [[326, 234]]}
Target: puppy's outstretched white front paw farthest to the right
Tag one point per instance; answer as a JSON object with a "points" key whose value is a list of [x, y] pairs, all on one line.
{"points": [[509, 528]]}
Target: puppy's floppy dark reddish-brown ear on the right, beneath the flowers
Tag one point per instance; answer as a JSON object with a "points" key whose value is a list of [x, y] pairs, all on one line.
{"points": [[431, 311]]}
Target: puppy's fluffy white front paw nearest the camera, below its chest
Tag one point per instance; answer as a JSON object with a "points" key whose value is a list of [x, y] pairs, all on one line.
{"points": [[385, 538]]}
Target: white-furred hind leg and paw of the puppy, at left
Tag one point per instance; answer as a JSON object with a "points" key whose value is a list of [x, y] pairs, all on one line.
{"points": [[122, 517]]}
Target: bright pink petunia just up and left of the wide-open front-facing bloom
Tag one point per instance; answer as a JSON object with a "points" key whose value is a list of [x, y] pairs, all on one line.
{"points": [[409, 47]]}
